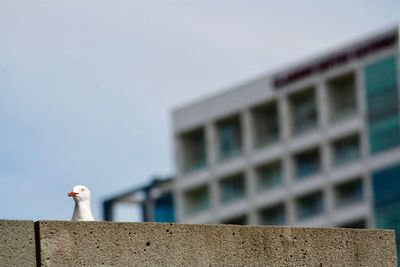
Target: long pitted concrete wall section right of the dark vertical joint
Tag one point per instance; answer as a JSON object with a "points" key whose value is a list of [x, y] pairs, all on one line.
{"points": [[149, 244]]}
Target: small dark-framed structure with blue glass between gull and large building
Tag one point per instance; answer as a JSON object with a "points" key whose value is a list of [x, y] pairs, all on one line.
{"points": [[155, 200]]}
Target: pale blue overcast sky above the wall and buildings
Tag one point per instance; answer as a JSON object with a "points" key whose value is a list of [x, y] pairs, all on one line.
{"points": [[87, 87]]}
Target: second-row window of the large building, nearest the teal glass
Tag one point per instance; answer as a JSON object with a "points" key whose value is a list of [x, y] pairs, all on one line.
{"points": [[346, 150]]}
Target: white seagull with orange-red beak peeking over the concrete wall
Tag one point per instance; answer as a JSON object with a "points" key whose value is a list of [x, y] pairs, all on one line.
{"points": [[81, 196]]}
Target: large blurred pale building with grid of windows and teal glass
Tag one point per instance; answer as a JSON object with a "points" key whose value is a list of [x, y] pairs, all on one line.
{"points": [[314, 144]]}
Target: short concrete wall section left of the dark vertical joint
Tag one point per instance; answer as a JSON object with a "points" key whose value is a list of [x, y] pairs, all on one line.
{"points": [[17, 243]]}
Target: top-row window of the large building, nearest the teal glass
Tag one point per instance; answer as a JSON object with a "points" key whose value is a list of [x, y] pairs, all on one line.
{"points": [[342, 97]]}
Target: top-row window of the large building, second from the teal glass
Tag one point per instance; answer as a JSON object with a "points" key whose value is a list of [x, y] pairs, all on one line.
{"points": [[303, 111]]}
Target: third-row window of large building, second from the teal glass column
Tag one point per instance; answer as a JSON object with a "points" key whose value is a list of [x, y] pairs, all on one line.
{"points": [[309, 206]]}
